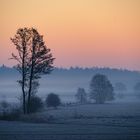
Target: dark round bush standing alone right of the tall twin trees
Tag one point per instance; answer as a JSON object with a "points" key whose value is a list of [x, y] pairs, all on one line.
{"points": [[53, 100]]}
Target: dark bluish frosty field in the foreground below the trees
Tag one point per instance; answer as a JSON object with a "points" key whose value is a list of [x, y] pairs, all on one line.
{"points": [[117, 121]]}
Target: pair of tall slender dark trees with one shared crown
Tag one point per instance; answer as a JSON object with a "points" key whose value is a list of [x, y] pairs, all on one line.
{"points": [[34, 59]]}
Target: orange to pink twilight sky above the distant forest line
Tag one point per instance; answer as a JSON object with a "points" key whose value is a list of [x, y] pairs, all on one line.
{"points": [[86, 33]]}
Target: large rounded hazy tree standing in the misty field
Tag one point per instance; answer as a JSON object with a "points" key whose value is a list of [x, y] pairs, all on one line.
{"points": [[101, 89]]}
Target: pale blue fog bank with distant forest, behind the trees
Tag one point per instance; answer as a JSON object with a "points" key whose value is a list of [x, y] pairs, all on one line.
{"points": [[65, 82]]}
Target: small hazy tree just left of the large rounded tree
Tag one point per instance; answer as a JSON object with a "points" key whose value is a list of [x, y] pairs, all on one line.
{"points": [[81, 95]]}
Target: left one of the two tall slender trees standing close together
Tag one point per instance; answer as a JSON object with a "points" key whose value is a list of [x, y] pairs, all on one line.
{"points": [[21, 41]]}
